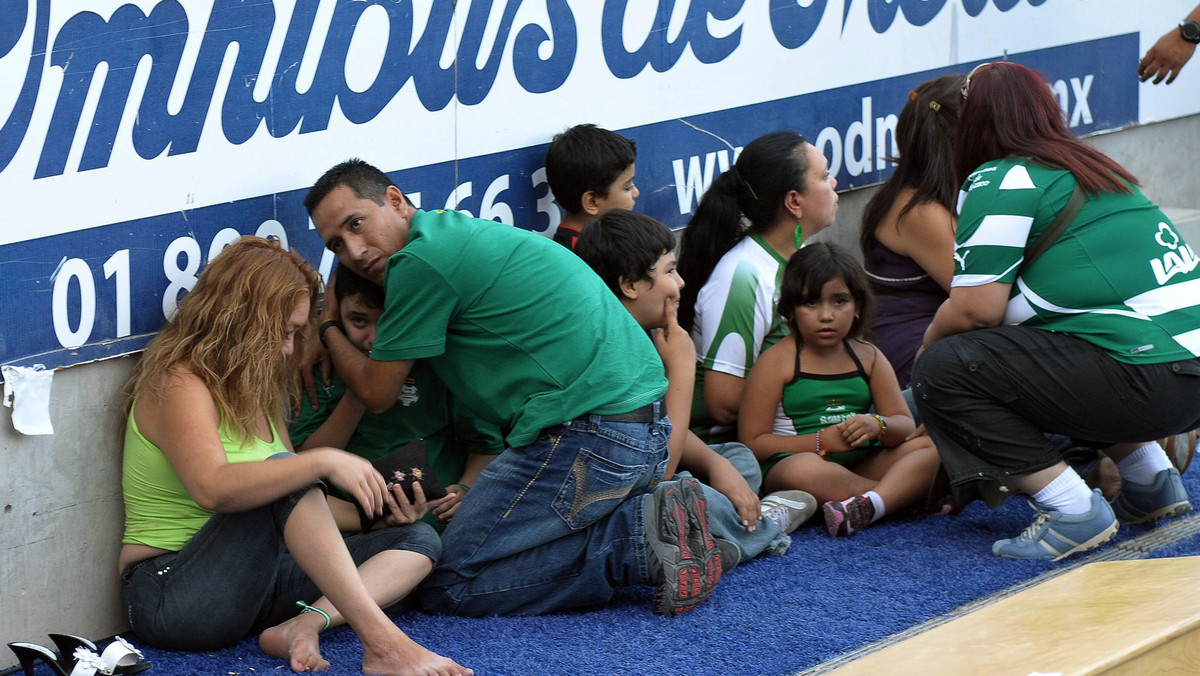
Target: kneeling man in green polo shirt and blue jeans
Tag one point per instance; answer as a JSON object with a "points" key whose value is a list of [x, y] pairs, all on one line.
{"points": [[527, 338]]}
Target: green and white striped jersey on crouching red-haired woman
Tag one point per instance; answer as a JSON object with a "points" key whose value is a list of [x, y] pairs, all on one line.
{"points": [[1120, 277]]}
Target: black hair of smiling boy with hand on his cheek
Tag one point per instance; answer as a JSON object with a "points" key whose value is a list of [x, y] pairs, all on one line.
{"points": [[623, 244]]}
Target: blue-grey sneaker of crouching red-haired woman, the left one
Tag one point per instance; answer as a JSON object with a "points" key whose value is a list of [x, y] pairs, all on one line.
{"points": [[1055, 536]]}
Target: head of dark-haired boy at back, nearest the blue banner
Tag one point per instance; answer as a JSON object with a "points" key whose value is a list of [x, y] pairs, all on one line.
{"points": [[591, 170]]}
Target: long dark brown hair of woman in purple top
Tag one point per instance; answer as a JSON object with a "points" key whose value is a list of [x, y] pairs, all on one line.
{"points": [[926, 139]]}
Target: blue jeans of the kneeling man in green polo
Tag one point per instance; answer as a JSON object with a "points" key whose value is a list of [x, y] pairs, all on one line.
{"points": [[553, 525]]}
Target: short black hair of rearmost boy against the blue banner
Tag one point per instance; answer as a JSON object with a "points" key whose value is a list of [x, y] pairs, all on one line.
{"points": [[584, 159]]}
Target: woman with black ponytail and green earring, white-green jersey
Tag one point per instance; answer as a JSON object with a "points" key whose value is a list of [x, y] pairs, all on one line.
{"points": [[748, 225]]}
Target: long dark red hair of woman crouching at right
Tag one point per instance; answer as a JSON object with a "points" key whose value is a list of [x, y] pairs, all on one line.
{"points": [[1010, 111]]}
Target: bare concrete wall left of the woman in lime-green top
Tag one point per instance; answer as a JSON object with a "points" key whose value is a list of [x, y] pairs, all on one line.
{"points": [[62, 512]]}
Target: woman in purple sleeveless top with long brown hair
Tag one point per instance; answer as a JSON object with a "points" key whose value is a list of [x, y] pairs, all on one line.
{"points": [[908, 236]]}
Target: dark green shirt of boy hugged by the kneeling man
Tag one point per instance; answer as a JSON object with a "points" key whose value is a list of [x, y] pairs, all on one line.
{"points": [[425, 410]]}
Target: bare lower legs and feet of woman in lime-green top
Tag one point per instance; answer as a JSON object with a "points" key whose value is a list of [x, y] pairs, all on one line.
{"points": [[314, 540]]}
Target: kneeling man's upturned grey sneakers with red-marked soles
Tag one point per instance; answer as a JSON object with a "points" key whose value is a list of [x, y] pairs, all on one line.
{"points": [[689, 559]]}
